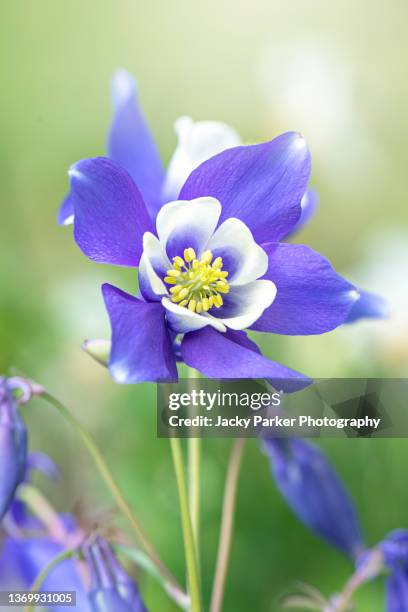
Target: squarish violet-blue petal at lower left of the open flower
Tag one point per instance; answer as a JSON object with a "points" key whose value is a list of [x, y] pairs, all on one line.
{"points": [[141, 342]]}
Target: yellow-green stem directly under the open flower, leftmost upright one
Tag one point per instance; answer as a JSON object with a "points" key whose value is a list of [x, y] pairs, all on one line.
{"points": [[189, 547]]}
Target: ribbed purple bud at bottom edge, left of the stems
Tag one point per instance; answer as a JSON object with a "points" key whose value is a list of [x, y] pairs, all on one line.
{"points": [[112, 589]]}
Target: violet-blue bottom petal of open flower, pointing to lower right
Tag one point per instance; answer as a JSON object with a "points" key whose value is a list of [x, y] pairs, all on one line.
{"points": [[232, 355]]}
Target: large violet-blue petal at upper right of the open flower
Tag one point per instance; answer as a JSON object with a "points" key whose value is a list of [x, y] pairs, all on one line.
{"points": [[260, 184]]}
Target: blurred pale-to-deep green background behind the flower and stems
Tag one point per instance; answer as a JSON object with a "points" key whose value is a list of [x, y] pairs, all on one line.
{"points": [[336, 72]]}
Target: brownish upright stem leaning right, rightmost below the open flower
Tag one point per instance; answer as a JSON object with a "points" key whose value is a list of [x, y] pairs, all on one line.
{"points": [[227, 524]]}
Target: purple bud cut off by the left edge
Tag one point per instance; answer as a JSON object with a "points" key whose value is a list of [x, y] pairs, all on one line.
{"points": [[13, 447]]}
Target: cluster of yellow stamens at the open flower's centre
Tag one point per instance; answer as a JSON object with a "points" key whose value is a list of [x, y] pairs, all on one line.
{"points": [[197, 283]]}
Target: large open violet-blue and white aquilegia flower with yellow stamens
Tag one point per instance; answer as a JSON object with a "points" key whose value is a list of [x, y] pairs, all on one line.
{"points": [[209, 251]]}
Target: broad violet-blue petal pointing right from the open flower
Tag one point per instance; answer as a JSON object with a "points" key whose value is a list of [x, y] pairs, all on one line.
{"points": [[311, 297]]}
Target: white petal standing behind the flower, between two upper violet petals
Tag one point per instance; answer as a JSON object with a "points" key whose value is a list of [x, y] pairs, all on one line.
{"points": [[197, 142]]}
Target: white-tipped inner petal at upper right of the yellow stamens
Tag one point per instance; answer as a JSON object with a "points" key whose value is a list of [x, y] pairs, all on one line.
{"points": [[250, 260]]}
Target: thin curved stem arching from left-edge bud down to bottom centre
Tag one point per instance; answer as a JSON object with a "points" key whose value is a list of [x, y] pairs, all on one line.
{"points": [[113, 487]]}
